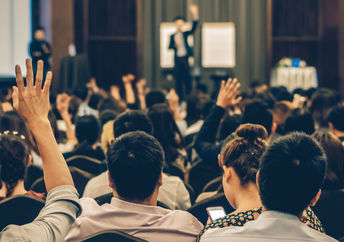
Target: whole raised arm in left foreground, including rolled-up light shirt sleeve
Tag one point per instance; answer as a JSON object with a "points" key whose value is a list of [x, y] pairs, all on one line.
{"points": [[62, 204]]}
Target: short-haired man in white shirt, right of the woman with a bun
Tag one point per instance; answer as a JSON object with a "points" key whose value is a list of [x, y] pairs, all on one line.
{"points": [[290, 176]]}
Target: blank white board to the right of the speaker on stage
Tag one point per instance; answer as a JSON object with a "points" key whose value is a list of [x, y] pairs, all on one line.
{"points": [[218, 45]]}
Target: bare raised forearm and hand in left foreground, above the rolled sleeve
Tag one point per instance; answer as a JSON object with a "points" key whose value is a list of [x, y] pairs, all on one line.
{"points": [[32, 104]]}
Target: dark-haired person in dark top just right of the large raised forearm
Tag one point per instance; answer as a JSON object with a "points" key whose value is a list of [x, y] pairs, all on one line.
{"points": [[87, 131]]}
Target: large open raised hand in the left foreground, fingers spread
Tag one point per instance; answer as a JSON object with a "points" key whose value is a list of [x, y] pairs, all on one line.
{"points": [[31, 101]]}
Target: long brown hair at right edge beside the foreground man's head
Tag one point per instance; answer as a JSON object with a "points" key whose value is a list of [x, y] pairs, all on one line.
{"points": [[334, 150]]}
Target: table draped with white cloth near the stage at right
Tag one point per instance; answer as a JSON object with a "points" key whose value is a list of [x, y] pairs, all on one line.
{"points": [[294, 77]]}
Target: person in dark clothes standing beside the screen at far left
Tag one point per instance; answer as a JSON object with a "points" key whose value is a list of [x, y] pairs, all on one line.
{"points": [[40, 50]]}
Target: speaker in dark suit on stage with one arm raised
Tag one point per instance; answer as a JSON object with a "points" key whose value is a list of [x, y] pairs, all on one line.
{"points": [[182, 52]]}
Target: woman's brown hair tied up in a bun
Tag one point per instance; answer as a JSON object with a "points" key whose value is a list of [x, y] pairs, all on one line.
{"points": [[244, 151]]}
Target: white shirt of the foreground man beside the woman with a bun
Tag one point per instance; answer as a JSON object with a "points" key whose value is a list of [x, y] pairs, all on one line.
{"points": [[270, 226]]}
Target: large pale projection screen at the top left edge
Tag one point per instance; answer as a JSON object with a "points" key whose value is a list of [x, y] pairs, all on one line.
{"points": [[15, 34]]}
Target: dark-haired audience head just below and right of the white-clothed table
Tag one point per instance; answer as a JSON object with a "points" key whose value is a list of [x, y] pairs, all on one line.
{"points": [[321, 103]]}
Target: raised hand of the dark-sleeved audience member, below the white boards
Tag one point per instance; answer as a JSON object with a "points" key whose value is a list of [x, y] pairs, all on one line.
{"points": [[228, 93]]}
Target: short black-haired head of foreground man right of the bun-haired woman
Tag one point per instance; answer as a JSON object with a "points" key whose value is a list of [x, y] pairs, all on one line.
{"points": [[292, 170]]}
